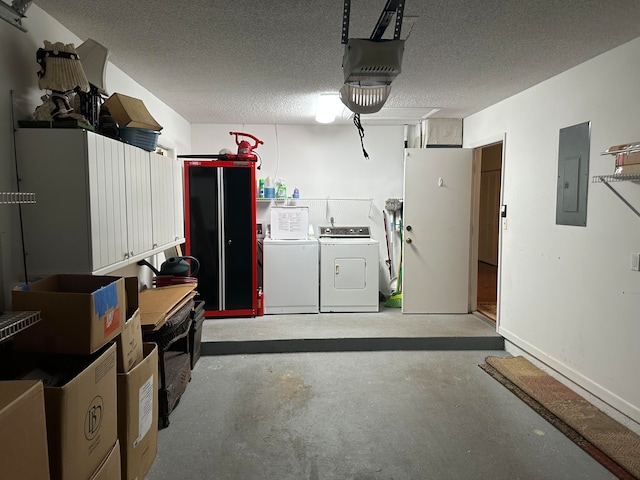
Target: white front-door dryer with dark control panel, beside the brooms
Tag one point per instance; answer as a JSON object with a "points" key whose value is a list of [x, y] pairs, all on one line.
{"points": [[349, 260]]}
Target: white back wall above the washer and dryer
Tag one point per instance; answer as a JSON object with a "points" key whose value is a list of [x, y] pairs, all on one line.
{"points": [[325, 162]]}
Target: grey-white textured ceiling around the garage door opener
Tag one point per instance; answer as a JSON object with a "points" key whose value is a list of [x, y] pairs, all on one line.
{"points": [[255, 62]]}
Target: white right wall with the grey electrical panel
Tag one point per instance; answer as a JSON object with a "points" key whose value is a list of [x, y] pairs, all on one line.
{"points": [[567, 294]]}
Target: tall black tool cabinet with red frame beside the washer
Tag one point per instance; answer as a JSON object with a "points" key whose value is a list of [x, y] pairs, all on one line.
{"points": [[220, 219]]}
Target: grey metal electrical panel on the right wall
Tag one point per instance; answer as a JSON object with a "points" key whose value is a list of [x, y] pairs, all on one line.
{"points": [[573, 175]]}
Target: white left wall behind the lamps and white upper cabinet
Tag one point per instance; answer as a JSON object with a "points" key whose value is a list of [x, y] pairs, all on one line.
{"points": [[18, 69]]}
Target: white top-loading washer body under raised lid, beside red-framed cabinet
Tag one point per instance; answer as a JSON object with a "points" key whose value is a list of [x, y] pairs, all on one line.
{"points": [[290, 275]]}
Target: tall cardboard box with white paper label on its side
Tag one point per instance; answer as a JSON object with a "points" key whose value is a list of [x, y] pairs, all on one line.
{"points": [[138, 415]]}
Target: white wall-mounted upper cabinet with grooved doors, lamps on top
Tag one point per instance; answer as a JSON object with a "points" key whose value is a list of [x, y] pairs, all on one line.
{"points": [[96, 210]]}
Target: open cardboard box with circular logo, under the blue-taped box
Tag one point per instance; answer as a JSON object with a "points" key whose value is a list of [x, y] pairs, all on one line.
{"points": [[80, 406]]}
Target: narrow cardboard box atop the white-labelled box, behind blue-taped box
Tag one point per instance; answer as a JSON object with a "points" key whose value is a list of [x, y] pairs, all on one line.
{"points": [[130, 340]]}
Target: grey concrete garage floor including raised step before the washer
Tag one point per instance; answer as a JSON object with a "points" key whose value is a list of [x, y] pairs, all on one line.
{"points": [[359, 415]]}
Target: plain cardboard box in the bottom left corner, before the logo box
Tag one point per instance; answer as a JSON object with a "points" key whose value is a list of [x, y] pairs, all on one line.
{"points": [[23, 430]]}
